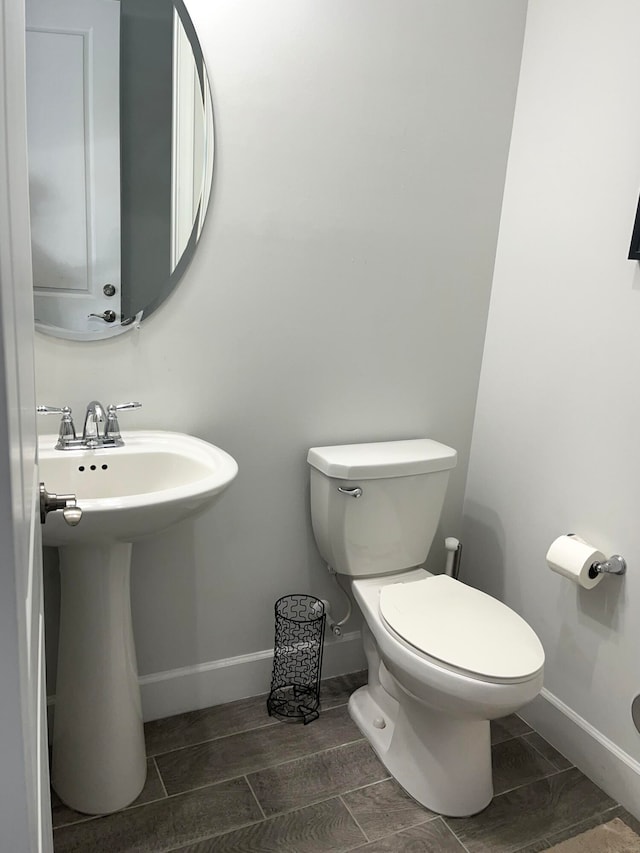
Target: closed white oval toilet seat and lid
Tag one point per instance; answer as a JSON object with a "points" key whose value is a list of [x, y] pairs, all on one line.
{"points": [[462, 628]]}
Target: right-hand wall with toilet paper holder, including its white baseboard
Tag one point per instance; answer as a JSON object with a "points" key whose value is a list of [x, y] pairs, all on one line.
{"points": [[555, 444]]}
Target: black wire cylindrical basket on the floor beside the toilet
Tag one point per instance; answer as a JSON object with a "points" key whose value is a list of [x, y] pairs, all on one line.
{"points": [[297, 658]]}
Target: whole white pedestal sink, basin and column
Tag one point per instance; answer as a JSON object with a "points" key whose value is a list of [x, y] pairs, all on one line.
{"points": [[126, 493]]}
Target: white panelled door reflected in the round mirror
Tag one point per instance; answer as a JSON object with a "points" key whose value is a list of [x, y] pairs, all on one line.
{"points": [[74, 157]]}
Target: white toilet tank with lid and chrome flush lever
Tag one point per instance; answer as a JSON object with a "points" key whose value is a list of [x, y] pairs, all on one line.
{"points": [[375, 507]]}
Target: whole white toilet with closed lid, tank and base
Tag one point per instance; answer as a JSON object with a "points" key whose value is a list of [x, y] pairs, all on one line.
{"points": [[444, 658]]}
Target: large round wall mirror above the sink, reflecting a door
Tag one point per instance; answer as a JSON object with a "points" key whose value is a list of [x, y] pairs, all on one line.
{"points": [[120, 138]]}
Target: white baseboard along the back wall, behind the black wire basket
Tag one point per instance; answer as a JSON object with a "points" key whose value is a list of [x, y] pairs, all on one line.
{"points": [[216, 682]]}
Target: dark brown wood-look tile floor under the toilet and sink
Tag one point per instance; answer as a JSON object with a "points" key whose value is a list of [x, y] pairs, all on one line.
{"points": [[230, 779]]}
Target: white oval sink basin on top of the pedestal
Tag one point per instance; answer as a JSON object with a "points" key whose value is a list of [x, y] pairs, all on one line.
{"points": [[129, 492]]}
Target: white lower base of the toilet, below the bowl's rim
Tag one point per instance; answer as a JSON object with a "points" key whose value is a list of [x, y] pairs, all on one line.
{"points": [[442, 762]]}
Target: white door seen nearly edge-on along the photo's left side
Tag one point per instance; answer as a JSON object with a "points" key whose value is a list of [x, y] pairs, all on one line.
{"points": [[25, 819]]}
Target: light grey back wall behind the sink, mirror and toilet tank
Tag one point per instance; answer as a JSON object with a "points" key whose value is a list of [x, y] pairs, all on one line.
{"points": [[339, 293]]}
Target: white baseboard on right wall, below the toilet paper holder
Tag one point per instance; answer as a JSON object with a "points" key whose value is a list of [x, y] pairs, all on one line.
{"points": [[599, 758]]}
